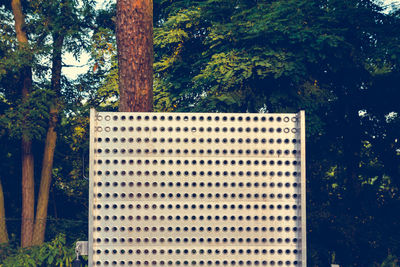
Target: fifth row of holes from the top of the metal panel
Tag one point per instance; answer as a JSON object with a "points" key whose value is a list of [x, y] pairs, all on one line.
{"points": [[200, 162]]}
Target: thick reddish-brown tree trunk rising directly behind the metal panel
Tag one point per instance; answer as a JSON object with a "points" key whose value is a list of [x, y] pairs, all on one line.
{"points": [[135, 54]]}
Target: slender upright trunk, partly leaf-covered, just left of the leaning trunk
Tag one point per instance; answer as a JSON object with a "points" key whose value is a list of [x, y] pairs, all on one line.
{"points": [[28, 193]]}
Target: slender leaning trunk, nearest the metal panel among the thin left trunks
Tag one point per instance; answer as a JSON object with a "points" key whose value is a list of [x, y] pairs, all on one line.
{"points": [[50, 145]]}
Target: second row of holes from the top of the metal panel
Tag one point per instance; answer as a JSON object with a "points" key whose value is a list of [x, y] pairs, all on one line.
{"points": [[195, 129]]}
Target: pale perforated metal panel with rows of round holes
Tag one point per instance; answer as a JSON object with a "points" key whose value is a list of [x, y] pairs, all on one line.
{"points": [[197, 189]]}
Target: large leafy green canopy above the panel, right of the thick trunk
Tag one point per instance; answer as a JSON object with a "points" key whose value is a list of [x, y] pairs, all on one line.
{"points": [[256, 49]]}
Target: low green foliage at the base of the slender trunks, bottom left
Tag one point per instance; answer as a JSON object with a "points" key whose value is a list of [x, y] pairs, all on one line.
{"points": [[53, 253]]}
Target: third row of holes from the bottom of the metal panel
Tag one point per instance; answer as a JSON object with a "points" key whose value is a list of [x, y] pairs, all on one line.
{"points": [[195, 240]]}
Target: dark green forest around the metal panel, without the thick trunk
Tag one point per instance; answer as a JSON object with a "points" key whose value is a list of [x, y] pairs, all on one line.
{"points": [[338, 60]]}
